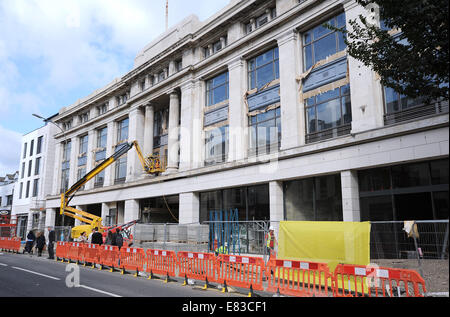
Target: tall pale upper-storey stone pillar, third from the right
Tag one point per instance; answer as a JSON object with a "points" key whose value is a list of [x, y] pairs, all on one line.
{"points": [[238, 120]]}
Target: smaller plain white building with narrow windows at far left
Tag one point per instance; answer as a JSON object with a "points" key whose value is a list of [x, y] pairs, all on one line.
{"points": [[35, 178]]}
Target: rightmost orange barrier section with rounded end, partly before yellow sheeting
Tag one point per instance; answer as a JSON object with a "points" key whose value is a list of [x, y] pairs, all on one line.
{"points": [[361, 281]]}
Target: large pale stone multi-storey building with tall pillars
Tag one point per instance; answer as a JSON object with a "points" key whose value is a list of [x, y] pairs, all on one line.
{"points": [[257, 108]]}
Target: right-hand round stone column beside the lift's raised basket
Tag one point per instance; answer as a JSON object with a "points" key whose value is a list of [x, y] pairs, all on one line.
{"points": [[174, 127]]}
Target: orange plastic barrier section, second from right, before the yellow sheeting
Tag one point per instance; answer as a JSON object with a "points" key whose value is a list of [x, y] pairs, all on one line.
{"points": [[298, 278]]}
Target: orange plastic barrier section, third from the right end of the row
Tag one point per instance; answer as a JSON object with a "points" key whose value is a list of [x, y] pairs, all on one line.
{"points": [[240, 271]]}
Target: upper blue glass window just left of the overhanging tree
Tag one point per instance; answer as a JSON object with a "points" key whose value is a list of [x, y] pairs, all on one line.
{"points": [[321, 42]]}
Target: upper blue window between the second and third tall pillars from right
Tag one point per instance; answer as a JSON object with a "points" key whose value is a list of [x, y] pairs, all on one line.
{"points": [[263, 69]]}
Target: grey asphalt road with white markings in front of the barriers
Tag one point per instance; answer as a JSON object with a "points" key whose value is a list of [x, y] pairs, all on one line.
{"points": [[32, 276]]}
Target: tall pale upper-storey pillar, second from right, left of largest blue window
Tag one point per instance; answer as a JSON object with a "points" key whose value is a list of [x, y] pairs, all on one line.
{"points": [[292, 129]]}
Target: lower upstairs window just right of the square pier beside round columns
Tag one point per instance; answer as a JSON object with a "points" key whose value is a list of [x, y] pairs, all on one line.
{"points": [[216, 145]]}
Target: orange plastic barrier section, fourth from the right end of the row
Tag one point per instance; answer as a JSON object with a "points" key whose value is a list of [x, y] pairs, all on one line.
{"points": [[197, 266]]}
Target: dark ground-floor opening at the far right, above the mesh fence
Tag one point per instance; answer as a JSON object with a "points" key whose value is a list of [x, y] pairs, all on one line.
{"points": [[416, 191]]}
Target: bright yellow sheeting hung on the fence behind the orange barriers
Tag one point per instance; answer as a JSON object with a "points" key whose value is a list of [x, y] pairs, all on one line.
{"points": [[326, 242]]}
